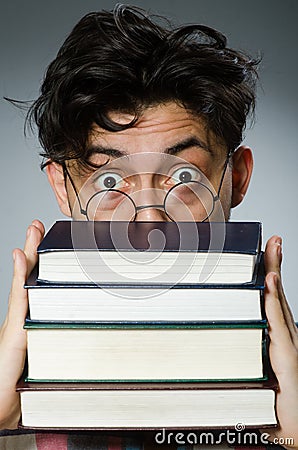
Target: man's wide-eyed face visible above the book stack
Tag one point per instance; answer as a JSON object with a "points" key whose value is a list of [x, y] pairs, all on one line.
{"points": [[146, 161]]}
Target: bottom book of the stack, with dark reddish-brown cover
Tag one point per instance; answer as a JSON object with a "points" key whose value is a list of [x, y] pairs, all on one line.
{"points": [[145, 406]]}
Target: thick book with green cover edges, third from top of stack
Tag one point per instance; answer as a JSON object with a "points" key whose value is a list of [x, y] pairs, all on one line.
{"points": [[145, 352]]}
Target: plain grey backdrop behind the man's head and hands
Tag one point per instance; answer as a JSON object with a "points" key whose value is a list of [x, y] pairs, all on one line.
{"points": [[31, 33]]}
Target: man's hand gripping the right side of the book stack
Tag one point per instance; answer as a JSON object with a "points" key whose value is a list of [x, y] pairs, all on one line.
{"points": [[283, 349]]}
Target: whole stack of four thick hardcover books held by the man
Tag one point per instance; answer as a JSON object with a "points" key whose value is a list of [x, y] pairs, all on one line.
{"points": [[147, 326]]}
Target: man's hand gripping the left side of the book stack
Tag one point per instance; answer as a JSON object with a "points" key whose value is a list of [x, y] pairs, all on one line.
{"points": [[12, 334]]}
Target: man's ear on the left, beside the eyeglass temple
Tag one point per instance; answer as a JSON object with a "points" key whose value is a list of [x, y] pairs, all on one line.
{"points": [[55, 176]]}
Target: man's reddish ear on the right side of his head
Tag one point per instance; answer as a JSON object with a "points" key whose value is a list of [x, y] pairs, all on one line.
{"points": [[241, 174]]}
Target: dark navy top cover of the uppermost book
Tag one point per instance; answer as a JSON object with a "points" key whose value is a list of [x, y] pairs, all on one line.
{"points": [[237, 237]]}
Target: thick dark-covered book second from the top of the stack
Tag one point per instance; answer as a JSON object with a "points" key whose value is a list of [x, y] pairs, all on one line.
{"points": [[140, 302]]}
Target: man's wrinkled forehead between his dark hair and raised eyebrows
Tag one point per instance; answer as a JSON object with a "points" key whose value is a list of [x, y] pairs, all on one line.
{"points": [[158, 128]]}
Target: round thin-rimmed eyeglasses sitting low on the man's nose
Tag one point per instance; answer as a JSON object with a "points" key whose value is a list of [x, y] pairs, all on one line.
{"points": [[187, 200]]}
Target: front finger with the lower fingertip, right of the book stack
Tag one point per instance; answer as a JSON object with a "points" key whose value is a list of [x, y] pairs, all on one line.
{"points": [[282, 350]]}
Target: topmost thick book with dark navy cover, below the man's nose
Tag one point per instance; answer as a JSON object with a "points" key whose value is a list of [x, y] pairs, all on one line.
{"points": [[150, 252]]}
